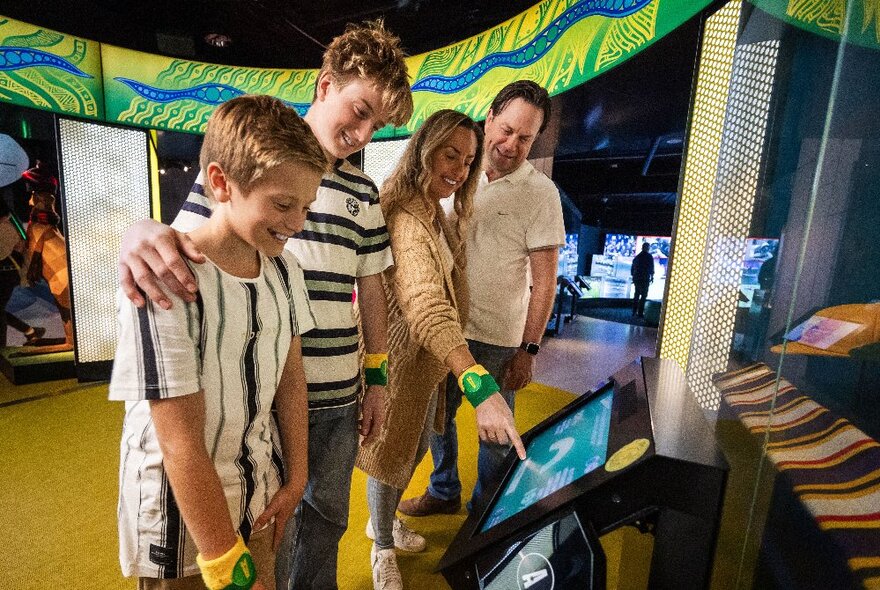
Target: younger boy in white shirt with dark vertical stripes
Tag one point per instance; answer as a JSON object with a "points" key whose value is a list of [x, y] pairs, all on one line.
{"points": [[201, 473]]}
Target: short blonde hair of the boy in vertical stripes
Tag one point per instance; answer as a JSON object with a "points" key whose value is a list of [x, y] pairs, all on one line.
{"points": [[249, 135]]}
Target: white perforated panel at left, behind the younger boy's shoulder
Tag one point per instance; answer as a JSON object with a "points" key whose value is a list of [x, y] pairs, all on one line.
{"points": [[106, 189]]}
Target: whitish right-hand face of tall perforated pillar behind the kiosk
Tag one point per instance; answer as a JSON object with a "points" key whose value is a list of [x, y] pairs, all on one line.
{"points": [[737, 182]]}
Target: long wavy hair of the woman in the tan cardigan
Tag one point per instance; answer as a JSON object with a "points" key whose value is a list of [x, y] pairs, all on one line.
{"points": [[412, 176]]}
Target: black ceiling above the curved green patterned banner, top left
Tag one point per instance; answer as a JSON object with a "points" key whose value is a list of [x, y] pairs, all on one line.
{"points": [[263, 33]]}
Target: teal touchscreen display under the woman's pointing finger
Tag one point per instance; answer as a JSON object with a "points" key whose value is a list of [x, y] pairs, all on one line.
{"points": [[559, 455]]}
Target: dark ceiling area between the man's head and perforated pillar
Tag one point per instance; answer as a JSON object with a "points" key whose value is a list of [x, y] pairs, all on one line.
{"points": [[620, 144]]}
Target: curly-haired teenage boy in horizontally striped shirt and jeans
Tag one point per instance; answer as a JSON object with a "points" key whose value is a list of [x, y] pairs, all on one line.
{"points": [[362, 86]]}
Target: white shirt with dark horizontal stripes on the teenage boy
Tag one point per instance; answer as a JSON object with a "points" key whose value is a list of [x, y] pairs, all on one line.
{"points": [[344, 238]]}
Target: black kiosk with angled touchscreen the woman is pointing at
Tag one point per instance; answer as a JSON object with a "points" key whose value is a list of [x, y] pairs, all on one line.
{"points": [[637, 451]]}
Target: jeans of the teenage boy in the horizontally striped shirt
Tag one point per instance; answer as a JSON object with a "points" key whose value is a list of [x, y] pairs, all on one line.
{"points": [[309, 548]]}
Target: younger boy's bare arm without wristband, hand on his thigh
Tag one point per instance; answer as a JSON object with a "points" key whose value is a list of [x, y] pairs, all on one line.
{"points": [[291, 401]]}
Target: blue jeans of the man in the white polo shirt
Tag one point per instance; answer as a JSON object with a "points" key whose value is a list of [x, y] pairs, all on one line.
{"points": [[445, 483]]}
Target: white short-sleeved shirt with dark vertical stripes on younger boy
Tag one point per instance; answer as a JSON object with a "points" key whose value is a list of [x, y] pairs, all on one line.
{"points": [[232, 344]]}
